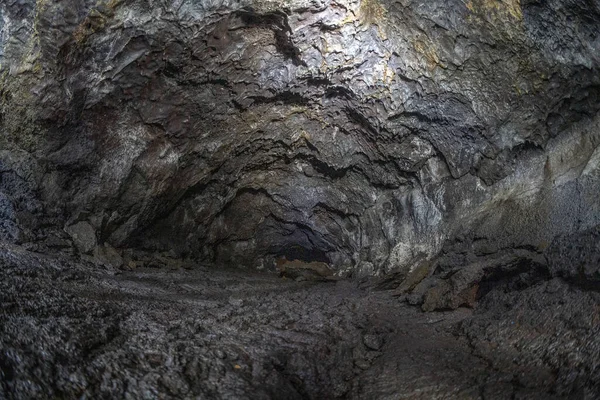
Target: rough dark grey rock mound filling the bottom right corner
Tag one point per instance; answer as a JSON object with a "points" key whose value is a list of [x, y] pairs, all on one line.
{"points": [[541, 328]]}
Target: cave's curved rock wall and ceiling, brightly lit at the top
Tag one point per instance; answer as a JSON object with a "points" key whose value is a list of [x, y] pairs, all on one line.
{"points": [[380, 137]]}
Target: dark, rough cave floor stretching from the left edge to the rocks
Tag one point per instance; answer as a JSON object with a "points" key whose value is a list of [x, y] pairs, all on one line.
{"points": [[211, 333]]}
